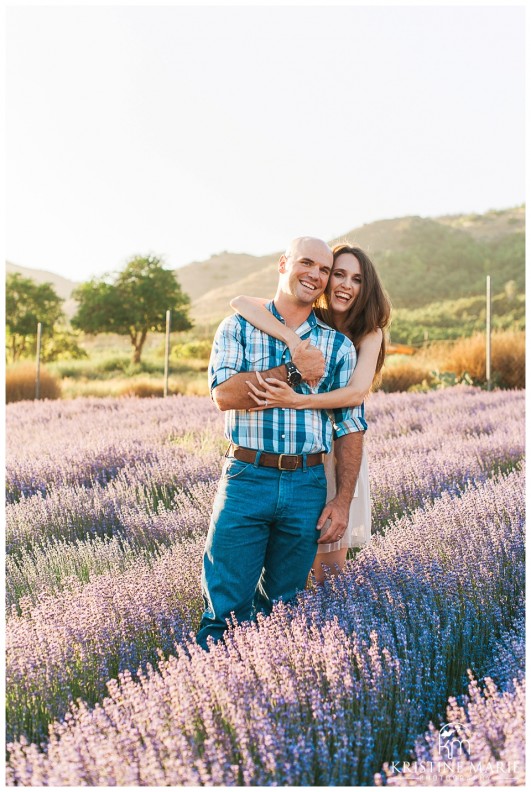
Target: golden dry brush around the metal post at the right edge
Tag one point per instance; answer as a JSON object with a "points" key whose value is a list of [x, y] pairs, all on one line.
{"points": [[507, 358]]}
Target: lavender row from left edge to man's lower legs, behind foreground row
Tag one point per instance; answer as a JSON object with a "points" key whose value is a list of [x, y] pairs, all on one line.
{"points": [[71, 643]]}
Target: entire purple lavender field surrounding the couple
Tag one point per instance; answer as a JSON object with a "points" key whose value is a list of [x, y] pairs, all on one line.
{"points": [[107, 513]]}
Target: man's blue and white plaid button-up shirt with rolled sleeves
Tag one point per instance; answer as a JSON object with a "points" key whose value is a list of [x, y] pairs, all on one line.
{"points": [[239, 346]]}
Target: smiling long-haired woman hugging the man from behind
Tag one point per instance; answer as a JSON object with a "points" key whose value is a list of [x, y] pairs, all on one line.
{"points": [[356, 304]]}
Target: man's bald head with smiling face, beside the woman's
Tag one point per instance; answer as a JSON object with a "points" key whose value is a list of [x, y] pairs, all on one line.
{"points": [[305, 271]]}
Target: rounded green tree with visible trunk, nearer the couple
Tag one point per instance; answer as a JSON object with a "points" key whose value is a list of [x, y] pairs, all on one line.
{"points": [[132, 302]]}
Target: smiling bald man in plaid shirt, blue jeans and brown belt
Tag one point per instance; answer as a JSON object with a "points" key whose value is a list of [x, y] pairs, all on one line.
{"points": [[262, 537]]}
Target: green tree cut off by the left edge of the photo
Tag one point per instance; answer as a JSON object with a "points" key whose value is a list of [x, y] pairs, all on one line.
{"points": [[27, 304]]}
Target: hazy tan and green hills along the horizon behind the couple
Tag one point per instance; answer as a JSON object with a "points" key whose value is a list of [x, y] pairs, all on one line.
{"points": [[421, 261]]}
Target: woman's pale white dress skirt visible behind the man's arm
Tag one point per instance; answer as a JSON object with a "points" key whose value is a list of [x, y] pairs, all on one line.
{"points": [[358, 533]]}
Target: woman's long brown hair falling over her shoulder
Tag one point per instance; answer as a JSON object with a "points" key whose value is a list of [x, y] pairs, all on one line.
{"points": [[371, 309]]}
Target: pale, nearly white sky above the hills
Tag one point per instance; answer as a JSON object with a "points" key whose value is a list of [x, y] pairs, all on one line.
{"points": [[184, 131]]}
